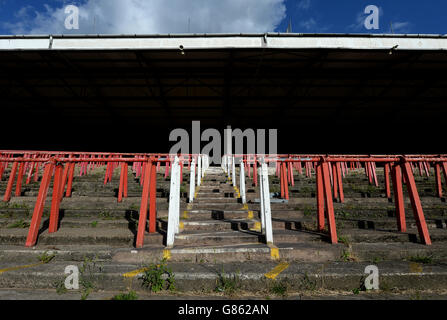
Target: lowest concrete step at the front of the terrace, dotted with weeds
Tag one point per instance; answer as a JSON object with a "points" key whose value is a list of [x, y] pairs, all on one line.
{"points": [[193, 277]]}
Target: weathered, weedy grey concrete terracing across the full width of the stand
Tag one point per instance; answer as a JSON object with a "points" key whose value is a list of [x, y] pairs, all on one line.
{"points": [[220, 233]]}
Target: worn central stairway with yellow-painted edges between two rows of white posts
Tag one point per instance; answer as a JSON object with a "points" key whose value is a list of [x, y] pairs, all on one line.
{"points": [[217, 226]]}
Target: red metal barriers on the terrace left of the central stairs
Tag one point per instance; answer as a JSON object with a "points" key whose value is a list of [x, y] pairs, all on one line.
{"points": [[62, 169]]}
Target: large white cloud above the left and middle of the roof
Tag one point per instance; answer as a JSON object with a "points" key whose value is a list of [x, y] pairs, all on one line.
{"points": [[156, 16]]}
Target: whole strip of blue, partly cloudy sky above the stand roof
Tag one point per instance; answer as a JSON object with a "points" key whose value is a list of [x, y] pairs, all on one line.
{"points": [[214, 16]]}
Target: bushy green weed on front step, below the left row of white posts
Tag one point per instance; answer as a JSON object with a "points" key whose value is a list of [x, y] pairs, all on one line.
{"points": [[158, 277]]}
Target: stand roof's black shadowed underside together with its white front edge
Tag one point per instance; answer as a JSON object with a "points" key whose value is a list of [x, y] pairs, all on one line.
{"points": [[95, 96]]}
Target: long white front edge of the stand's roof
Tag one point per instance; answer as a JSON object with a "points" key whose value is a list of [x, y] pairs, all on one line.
{"points": [[224, 41]]}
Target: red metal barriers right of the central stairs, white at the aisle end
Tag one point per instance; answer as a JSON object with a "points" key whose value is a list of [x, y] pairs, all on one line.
{"points": [[330, 171]]}
